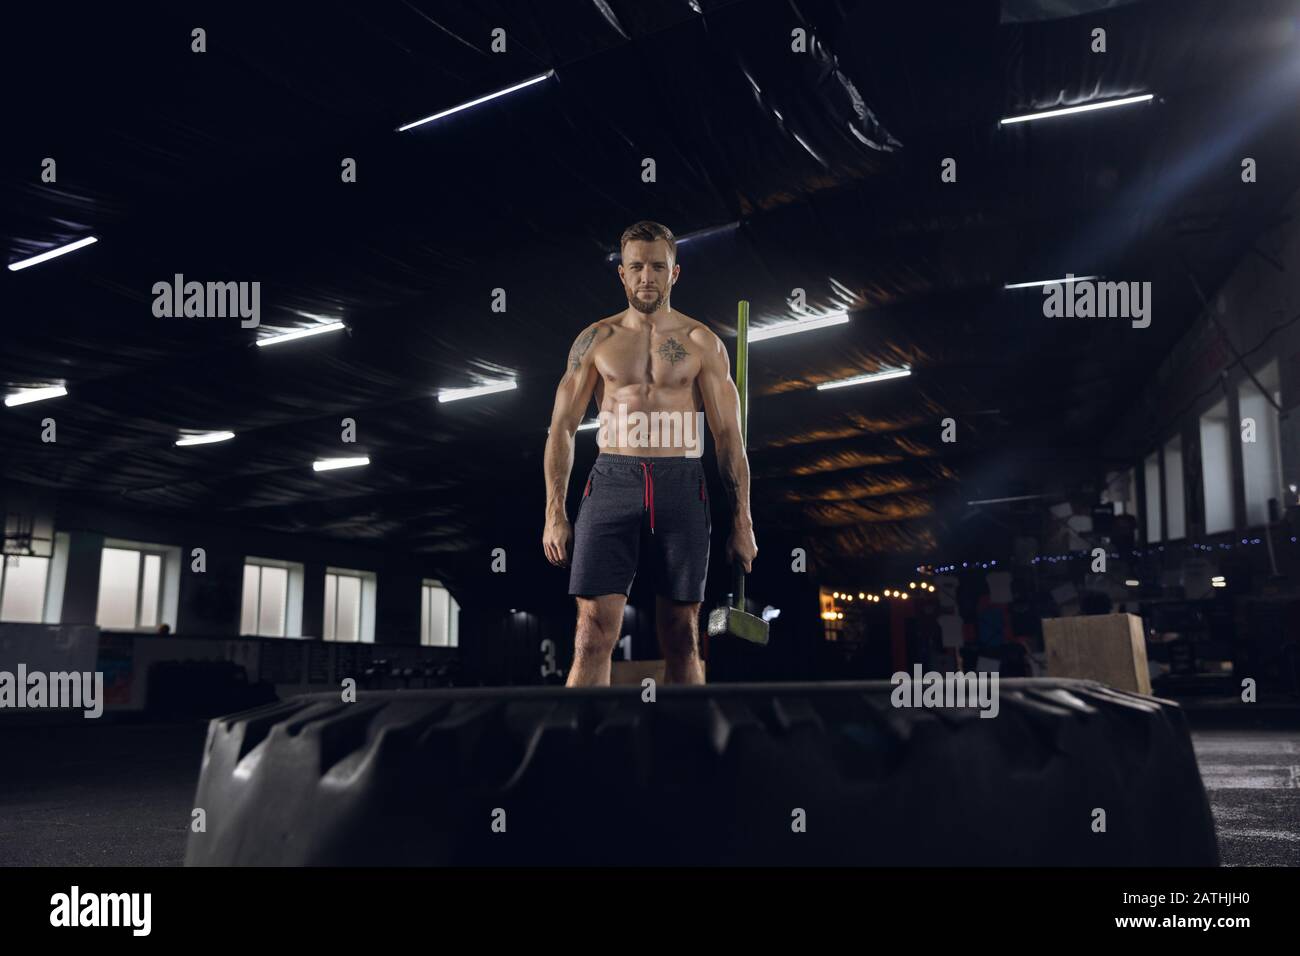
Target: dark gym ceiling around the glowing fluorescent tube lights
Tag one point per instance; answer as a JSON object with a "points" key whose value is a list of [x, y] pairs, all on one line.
{"points": [[791, 171]]}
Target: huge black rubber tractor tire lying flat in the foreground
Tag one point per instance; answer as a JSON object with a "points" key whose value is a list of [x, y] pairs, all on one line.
{"points": [[734, 775]]}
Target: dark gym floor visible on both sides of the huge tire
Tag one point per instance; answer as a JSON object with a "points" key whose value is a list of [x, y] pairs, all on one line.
{"points": [[123, 794]]}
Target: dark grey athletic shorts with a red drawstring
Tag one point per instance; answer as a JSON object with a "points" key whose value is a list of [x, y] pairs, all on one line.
{"points": [[630, 501]]}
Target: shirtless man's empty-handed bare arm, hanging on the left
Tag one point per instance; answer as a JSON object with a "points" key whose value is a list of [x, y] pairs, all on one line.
{"points": [[571, 400]]}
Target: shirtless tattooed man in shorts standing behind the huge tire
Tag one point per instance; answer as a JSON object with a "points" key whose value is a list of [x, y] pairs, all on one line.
{"points": [[648, 358]]}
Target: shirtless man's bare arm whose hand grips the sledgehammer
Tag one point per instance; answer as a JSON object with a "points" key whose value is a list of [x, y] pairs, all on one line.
{"points": [[722, 410]]}
